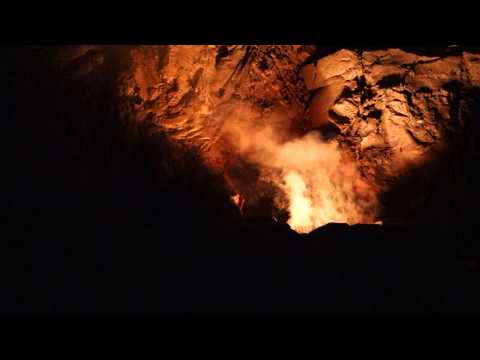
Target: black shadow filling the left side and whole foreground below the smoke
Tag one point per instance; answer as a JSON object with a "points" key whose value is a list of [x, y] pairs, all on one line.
{"points": [[104, 218]]}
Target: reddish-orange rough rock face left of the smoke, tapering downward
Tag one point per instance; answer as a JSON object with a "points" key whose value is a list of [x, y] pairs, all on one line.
{"points": [[199, 91]]}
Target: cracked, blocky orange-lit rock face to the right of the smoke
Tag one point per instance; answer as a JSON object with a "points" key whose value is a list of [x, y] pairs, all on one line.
{"points": [[405, 118]]}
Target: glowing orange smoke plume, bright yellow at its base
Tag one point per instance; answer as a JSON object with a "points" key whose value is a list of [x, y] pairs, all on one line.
{"points": [[317, 184]]}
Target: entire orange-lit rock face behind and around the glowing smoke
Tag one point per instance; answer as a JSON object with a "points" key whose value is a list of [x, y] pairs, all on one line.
{"points": [[406, 119]]}
